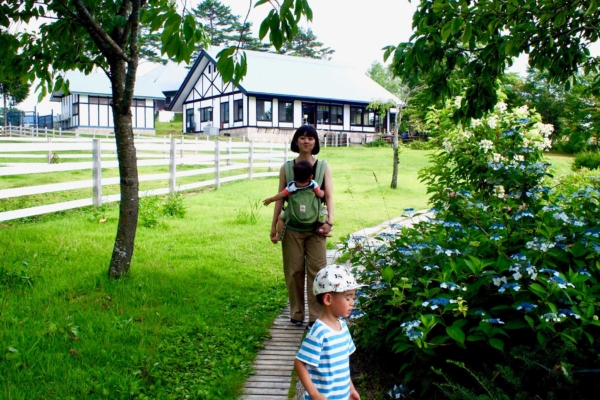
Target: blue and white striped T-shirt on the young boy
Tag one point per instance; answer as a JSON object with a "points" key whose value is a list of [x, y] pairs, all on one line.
{"points": [[326, 353]]}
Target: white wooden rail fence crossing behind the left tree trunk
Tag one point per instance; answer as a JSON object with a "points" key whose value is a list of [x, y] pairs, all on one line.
{"points": [[212, 156]]}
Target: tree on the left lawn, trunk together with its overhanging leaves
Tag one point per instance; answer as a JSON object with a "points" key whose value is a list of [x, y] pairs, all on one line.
{"points": [[86, 34]]}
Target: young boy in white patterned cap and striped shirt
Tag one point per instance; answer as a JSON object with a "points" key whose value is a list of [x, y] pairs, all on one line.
{"points": [[323, 361]]}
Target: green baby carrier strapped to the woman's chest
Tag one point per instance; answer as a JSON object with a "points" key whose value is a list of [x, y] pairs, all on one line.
{"points": [[302, 210]]}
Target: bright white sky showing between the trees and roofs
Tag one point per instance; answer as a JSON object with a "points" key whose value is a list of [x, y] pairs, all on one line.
{"points": [[356, 29]]}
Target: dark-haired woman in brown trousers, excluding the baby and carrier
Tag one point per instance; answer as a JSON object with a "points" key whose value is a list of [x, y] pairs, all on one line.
{"points": [[304, 251]]}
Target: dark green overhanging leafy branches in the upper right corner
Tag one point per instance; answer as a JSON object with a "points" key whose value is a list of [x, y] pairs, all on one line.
{"points": [[480, 39]]}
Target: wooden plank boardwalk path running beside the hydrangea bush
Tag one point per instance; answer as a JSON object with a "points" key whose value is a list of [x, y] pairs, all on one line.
{"points": [[274, 364]]}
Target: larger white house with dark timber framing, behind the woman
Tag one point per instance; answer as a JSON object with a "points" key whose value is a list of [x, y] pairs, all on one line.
{"points": [[279, 94]]}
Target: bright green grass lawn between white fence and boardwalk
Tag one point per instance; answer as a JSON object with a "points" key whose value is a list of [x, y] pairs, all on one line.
{"points": [[201, 297]]}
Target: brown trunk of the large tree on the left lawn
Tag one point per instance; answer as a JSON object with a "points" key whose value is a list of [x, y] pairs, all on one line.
{"points": [[126, 154]]}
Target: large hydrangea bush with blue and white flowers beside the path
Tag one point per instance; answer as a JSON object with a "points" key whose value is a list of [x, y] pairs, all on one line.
{"points": [[505, 266]]}
